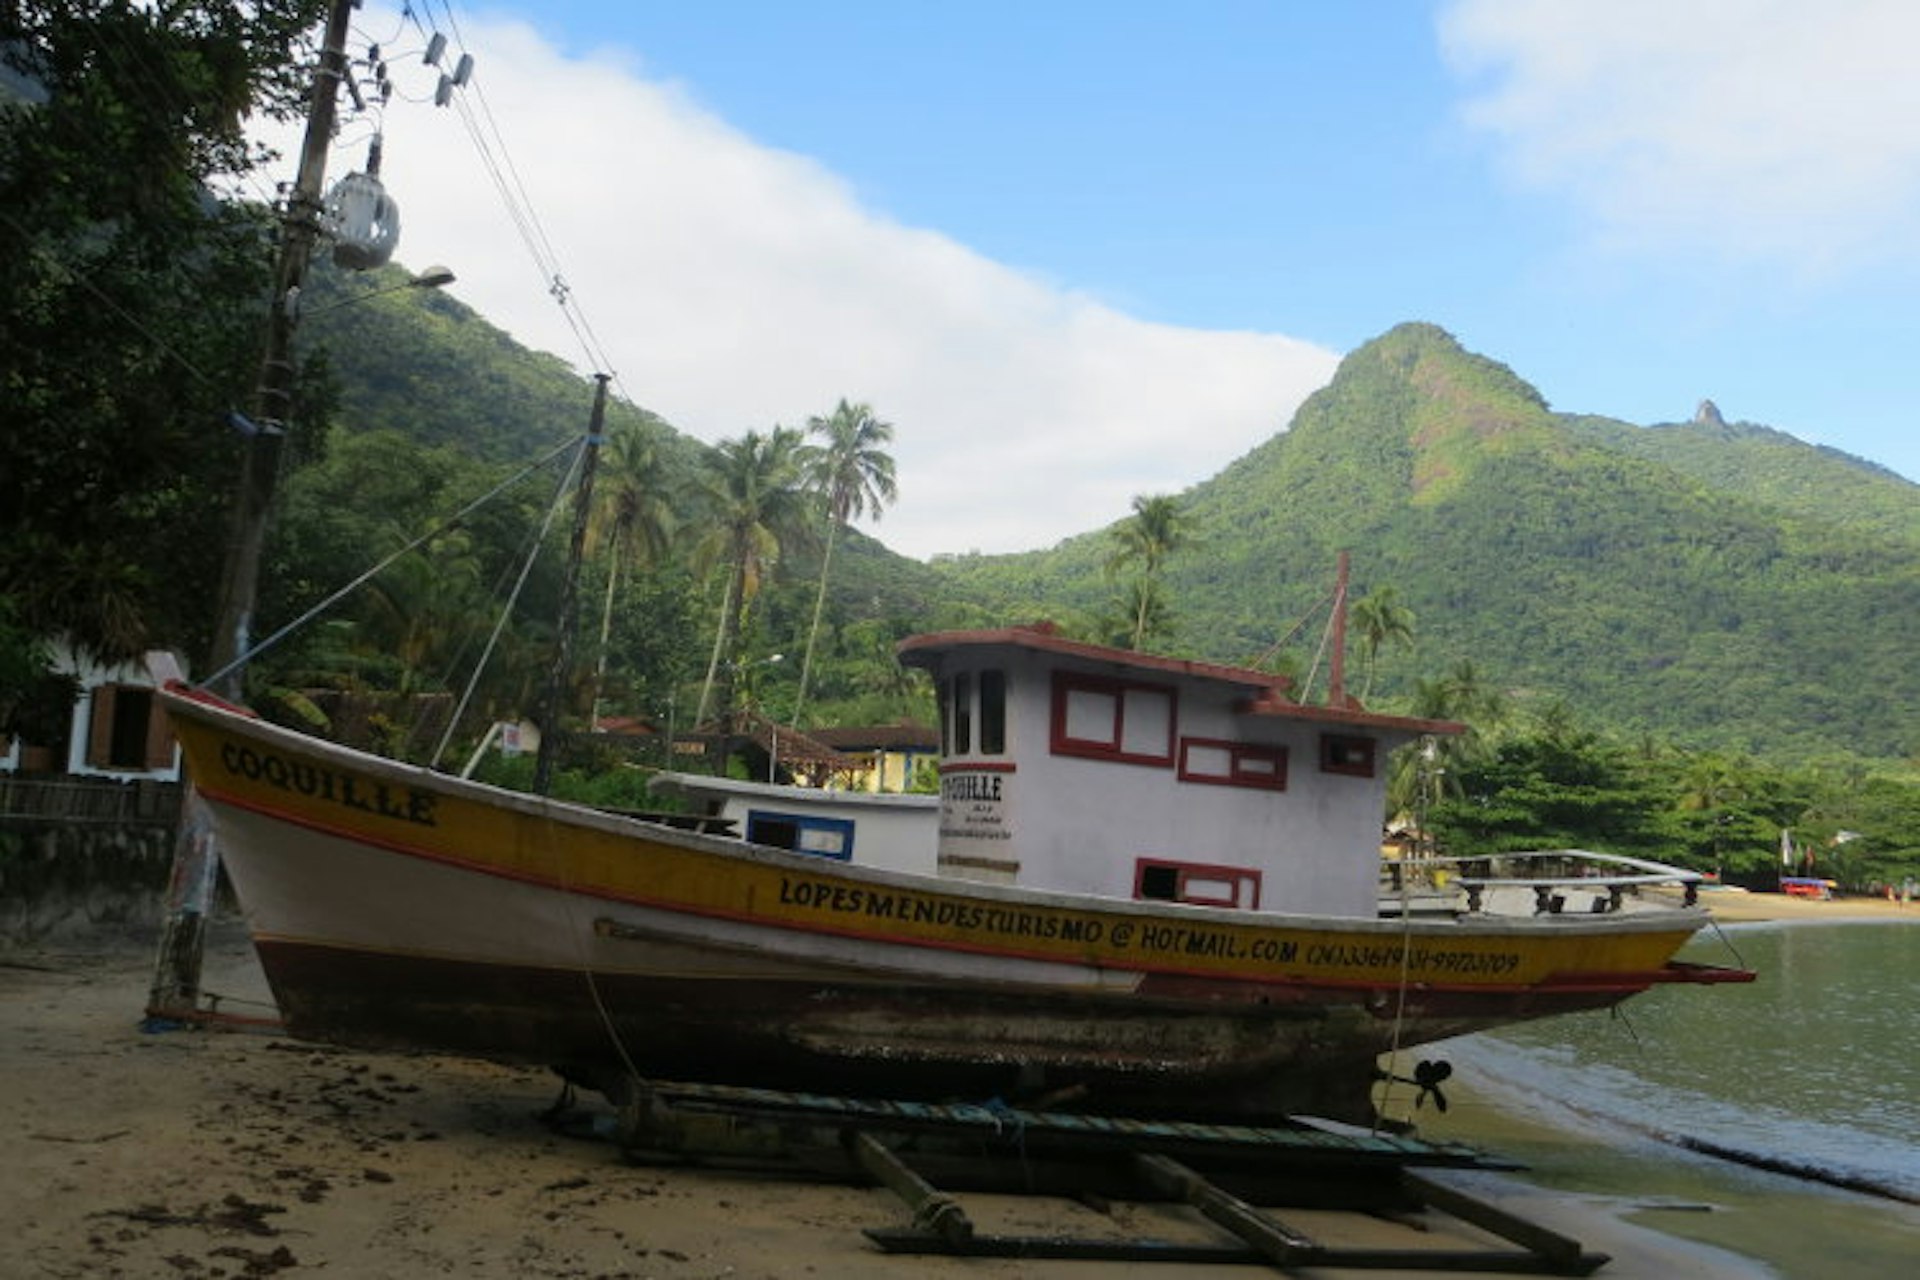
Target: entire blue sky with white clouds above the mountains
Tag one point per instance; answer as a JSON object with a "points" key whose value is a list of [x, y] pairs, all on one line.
{"points": [[1084, 250]]}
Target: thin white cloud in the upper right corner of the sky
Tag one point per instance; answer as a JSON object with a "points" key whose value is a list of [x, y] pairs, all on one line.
{"points": [[1771, 130]]}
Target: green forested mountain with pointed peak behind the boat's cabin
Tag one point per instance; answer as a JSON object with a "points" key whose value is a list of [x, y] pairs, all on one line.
{"points": [[1710, 584]]}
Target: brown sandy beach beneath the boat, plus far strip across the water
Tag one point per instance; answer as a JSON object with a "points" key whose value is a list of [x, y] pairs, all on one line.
{"points": [[247, 1154]]}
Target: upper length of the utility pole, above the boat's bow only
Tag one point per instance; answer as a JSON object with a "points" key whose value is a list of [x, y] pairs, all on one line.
{"points": [[274, 396]]}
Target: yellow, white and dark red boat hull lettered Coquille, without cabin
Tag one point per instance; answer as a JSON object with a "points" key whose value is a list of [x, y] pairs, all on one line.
{"points": [[400, 909]]}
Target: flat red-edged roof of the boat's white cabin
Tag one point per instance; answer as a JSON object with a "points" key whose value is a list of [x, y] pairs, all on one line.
{"points": [[1266, 694]]}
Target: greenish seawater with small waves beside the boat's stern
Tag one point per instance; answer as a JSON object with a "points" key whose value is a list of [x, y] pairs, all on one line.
{"points": [[1813, 1074]]}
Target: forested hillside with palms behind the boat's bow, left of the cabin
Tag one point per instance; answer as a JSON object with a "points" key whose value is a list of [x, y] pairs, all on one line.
{"points": [[427, 408]]}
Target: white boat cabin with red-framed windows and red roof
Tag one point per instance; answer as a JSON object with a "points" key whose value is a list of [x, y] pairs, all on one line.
{"points": [[1097, 770]]}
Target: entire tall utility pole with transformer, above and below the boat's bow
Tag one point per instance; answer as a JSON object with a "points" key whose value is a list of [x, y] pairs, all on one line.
{"points": [[176, 991]]}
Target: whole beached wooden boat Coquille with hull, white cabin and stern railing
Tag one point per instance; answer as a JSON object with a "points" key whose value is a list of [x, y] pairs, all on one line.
{"points": [[1157, 893]]}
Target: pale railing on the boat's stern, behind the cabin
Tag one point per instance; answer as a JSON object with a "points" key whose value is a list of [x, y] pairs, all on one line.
{"points": [[1556, 878]]}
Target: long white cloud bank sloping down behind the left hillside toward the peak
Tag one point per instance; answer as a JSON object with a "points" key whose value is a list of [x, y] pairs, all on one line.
{"points": [[736, 287]]}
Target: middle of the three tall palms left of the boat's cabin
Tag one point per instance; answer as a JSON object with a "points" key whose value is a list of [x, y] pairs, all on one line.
{"points": [[754, 490]]}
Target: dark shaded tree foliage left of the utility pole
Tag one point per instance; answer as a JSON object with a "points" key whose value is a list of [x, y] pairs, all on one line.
{"points": [[130, 306]]}
